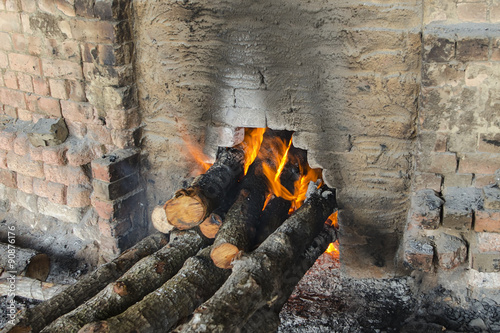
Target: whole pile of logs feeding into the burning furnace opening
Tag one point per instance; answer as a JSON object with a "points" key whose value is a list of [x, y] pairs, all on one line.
{"points": [[221, 263]]}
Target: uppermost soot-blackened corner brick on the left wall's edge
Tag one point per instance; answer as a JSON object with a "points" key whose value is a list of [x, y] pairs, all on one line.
{"points": [[116, 165]]}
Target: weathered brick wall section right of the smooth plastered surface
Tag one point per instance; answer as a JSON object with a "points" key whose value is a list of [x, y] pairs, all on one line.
{"points": [[458, 140]]}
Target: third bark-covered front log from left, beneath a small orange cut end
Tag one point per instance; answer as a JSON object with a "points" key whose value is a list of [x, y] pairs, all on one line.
{"points": [[162, 309]]}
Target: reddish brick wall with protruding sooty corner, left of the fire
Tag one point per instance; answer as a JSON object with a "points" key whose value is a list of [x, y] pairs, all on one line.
{"points": [[69, 60]]}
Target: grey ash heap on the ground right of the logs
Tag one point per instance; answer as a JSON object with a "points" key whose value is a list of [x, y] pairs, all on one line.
{"points": [[324, 301]]}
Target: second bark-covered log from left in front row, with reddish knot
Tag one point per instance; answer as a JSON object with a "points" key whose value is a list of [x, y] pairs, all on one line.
{"points": [[144, 277]]}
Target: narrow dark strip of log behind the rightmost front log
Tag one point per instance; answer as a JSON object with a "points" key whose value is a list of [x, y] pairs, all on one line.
{"points": [[266, 319]]}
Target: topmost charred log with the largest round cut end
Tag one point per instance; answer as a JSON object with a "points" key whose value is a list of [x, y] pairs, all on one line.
{"points": [[191, 206]]}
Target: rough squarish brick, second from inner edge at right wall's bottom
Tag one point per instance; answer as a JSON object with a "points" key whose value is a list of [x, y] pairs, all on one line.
{"points": [[451, 251]]}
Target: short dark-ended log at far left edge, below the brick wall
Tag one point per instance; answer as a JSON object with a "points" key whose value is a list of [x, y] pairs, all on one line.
{"points": [[26, 262]]}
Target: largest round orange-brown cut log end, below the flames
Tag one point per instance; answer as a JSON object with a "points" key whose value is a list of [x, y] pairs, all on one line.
{"points": [[185, 212]]}
